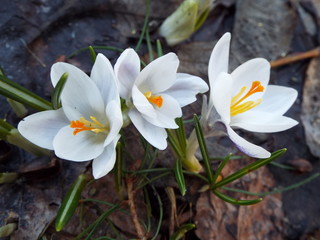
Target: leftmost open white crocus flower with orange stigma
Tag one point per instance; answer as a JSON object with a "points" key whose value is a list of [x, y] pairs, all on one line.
{"points": [[88, 124]]}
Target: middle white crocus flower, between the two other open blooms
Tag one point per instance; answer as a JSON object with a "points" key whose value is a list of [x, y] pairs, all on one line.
{"points": [[155, 95]]}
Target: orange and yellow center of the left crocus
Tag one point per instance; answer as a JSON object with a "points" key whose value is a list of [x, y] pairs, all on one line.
{"points": [[84, 125]]}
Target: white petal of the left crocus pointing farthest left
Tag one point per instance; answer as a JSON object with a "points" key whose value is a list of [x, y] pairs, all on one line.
{"points": [[41, 128]]}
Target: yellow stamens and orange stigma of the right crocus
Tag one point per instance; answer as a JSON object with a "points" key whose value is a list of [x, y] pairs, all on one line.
{"points": [[237, 102]]}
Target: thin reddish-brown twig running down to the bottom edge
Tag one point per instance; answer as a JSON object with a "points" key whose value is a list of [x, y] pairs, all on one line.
{"points": [[133, 211]]}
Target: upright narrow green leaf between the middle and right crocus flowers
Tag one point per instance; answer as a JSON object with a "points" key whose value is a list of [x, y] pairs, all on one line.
{"points": [[203, 149]]}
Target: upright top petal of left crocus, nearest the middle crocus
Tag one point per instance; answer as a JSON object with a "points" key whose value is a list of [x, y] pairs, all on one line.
{"points": [[103, 76]]}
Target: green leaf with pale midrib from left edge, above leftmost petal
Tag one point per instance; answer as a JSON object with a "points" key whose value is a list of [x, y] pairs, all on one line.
{"points": [[20, 94]]}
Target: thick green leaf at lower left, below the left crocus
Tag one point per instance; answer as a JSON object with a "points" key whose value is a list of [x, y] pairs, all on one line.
{"points": [[70, 202]]}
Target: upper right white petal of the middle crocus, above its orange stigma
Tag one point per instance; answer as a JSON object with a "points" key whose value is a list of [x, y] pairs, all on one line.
{"points": [[159, 75]]}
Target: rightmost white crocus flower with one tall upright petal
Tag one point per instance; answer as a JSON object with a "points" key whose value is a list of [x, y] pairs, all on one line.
{"points": [[244, 100]]}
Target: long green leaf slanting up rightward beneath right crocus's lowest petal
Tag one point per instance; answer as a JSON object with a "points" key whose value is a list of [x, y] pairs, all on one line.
{"points": [[251, 167]]}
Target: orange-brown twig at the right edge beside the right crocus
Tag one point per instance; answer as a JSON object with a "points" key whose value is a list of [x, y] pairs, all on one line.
{"points": [[295, 57]]}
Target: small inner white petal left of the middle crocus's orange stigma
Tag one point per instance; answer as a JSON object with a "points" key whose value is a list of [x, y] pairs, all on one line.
{"points": [[142, 104]]}
